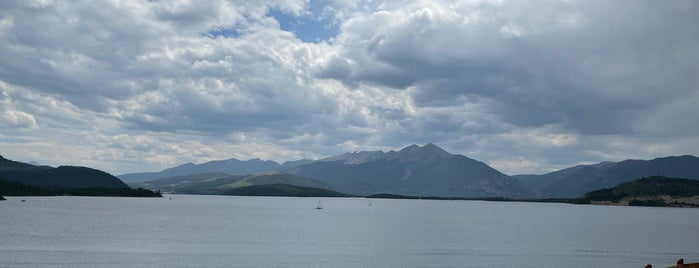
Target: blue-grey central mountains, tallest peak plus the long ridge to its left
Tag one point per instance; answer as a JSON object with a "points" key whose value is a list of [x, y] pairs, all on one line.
{"points": [[414, 170]]}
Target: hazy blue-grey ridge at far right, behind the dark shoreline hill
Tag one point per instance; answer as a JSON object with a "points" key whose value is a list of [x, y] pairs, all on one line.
{"points": [[578, 180]]}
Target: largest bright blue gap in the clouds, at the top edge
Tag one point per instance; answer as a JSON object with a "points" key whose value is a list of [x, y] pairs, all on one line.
{"points": [[313, 26]]}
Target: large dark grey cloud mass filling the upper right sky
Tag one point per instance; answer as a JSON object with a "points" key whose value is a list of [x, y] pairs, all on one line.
{"points": [[594, 67]]}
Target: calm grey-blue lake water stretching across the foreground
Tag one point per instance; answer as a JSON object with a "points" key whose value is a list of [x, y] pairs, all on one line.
{"points": [[224, 231]]}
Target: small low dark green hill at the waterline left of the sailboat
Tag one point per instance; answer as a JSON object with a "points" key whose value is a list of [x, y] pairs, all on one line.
{"points": [[280, 189]]}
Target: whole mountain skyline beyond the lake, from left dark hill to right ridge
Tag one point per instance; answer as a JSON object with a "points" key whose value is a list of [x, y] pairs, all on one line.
{"points": [[412, 171]]}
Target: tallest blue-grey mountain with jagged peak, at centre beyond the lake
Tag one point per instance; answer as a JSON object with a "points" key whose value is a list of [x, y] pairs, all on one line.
{"points": [[414, 170]]}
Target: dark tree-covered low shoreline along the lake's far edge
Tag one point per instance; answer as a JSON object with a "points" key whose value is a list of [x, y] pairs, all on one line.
{"points": [[655, 191]]}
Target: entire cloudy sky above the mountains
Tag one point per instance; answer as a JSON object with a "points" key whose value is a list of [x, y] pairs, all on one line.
{"points": [[524, 86]]}
